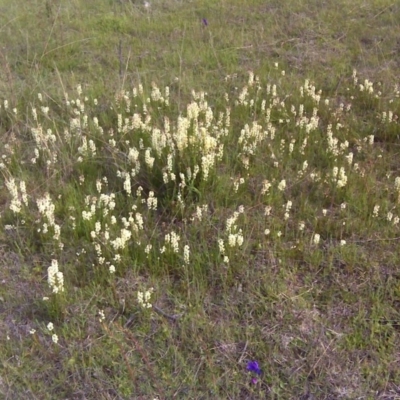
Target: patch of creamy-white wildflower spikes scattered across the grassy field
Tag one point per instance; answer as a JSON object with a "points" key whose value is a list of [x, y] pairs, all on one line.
{"points": [[183, 153]]}
